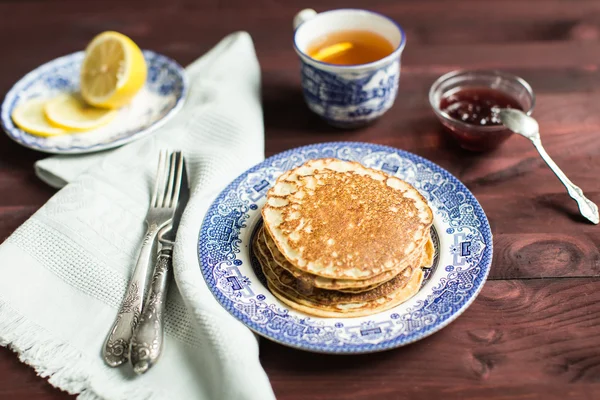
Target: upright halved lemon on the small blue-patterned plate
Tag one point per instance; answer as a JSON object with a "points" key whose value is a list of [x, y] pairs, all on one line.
{"points": [[113, 70]]}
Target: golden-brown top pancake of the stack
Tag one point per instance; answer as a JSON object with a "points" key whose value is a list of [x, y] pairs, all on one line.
{"points": [[339, 220]]}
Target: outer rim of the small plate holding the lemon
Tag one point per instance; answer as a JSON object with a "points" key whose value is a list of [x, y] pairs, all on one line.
{"points": [[34, 73]]}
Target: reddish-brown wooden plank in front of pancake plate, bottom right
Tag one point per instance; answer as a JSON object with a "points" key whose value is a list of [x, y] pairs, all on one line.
{"points": [[530, 339]]}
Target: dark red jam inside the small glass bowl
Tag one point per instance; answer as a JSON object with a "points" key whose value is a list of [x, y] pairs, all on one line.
{"points": [[477, 107]]}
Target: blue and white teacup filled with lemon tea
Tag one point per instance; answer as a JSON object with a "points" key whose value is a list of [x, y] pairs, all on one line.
{"points": [[350, 64]]}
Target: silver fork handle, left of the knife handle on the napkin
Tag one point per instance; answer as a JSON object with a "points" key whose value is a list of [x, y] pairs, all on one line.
{"points": [[116, 348]]}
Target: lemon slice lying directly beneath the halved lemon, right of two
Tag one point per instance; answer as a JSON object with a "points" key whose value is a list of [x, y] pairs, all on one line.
{"points": [[69, 111]]}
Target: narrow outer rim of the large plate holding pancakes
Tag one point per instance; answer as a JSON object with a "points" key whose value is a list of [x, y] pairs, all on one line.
{"points": [[485, 263]]}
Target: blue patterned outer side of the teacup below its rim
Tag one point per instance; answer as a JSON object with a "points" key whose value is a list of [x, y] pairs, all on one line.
{"points": [[350, 98]]}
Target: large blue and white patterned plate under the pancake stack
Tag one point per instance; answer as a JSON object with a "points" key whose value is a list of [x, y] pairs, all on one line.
{"points": [[462, 237]]}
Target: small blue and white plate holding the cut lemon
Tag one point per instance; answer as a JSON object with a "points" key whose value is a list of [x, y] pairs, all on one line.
{"points": [[161, 97]]}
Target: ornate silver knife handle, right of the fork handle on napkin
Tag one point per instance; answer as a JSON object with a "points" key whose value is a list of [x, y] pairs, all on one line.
{"points": [[147, 341]]}
